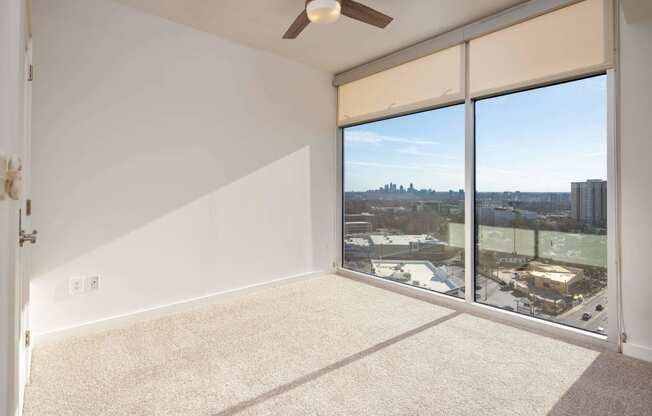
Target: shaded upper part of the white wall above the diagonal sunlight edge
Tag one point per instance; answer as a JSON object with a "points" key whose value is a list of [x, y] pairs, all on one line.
{"points": [[141, 116]]}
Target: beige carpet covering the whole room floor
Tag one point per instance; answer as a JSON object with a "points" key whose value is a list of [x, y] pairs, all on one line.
{"points": [[330, 346]]}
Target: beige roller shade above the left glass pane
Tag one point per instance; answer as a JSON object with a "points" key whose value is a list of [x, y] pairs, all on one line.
{"points": [[429, 81]]}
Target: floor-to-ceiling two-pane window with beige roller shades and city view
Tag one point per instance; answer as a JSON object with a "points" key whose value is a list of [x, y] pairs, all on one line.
{"points": [[530, 146]]}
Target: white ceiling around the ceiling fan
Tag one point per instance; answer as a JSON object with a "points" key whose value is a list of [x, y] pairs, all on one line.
{"points": [[333, 48]]}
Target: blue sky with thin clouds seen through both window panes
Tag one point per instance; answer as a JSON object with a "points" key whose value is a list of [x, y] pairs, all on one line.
{"points": [[534, 141]]}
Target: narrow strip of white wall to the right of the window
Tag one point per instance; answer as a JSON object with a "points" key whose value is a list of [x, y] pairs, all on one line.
{"points": [[636, 173]]}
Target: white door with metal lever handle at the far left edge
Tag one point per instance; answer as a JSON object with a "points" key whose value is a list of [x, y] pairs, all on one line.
{"points": [[15, 105]]}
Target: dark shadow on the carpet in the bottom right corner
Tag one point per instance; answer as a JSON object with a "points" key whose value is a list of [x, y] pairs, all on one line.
{"points": [[612, 385]]}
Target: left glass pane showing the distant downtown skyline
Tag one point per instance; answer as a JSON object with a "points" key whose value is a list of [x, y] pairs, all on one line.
{"points": [[404, 199]]}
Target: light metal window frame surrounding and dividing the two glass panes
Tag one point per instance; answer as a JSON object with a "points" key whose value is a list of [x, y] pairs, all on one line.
{"points": [[609, 341]]}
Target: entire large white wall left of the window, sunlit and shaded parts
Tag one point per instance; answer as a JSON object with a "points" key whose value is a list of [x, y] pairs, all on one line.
{"points": [[172, 162]]}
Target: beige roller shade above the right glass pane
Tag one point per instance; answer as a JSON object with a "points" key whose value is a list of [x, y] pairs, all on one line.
{"points": [[573, 40]]}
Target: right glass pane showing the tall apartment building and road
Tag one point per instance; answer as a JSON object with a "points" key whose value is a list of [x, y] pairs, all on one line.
{"points": [[541, 203]]}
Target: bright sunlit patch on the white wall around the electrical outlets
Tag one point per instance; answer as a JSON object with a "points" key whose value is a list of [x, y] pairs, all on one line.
{"points": [[253, 230]]}
